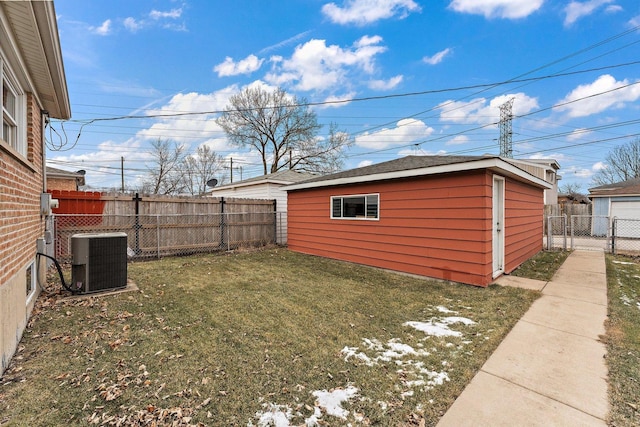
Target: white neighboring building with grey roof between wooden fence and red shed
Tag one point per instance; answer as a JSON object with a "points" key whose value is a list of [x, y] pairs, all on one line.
{"points": [[265, 187]]}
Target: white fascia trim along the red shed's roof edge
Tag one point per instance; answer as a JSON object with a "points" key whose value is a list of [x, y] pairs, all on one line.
{"points": [[493, 163]]}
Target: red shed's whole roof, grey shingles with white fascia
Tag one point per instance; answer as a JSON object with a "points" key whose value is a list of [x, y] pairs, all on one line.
{"points": [[414, 166]]}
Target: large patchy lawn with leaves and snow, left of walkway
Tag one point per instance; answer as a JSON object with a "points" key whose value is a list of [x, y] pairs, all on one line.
{"points": [[254, 339]]}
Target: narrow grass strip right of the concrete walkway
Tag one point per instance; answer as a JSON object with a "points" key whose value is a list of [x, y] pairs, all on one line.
{"points": [[623, 340]]}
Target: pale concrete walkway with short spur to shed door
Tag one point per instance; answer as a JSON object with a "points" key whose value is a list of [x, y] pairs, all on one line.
{"points": [[550, 369]]}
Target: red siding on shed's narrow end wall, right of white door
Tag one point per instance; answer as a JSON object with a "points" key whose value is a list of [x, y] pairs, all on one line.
{"points": [[524, 216]]}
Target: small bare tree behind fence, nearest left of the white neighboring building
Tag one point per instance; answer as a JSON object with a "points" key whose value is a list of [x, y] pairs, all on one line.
{"points": [[201, 167]]}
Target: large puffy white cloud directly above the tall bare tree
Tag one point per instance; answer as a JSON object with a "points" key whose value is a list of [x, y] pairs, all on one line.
{"points": [[316, 66]]}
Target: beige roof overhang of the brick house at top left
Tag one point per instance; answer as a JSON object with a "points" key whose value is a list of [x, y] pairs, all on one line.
{"points": [[31, 26]]}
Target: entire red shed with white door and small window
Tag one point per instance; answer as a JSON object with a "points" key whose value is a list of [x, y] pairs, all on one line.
{"points": [[467, 219]]}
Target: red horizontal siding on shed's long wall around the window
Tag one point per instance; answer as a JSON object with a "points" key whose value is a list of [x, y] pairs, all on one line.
{"points": [[437, 226]]}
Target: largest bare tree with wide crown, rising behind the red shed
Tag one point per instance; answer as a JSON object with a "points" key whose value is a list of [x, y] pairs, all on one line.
{"points": [[281, 129]]}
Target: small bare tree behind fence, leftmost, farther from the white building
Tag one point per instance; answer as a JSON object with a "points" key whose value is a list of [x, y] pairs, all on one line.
{"points": [[164, 175]]}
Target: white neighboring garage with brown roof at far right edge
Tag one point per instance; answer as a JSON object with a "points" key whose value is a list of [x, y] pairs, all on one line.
{"points": [[620, 200]]}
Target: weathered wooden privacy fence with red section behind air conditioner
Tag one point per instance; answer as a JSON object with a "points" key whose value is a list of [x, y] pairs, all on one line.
{"points": [[162, 226]]}
